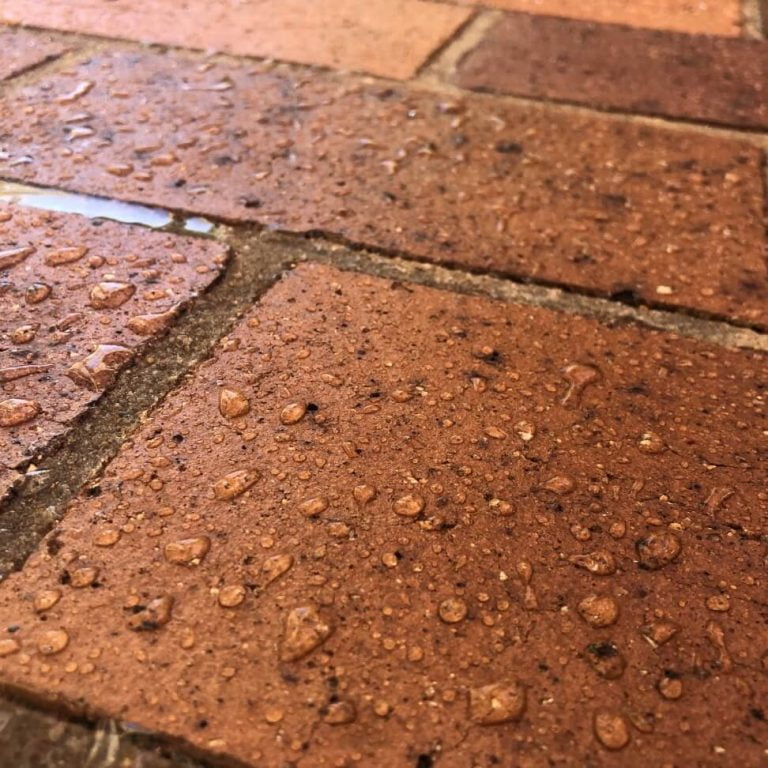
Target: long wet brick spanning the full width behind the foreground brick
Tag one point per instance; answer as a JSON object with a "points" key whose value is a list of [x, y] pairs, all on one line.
{"points": [[610, 207]]}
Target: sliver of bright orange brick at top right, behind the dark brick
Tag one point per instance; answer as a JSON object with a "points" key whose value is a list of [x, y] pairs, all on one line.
{"points": [[711, 17]]}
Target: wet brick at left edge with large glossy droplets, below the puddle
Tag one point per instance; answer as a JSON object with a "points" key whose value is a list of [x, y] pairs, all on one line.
{"points": [[78, 298]]}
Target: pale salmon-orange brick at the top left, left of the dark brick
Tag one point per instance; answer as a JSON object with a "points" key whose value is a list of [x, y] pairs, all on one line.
{"points": [[391, 38]]}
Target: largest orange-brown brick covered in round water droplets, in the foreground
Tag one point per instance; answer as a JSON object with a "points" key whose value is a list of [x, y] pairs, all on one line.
{"points": [[379, 528]]}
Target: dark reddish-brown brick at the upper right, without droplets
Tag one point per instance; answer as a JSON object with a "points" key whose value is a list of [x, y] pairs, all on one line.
{"points": [[710, 79]]}
